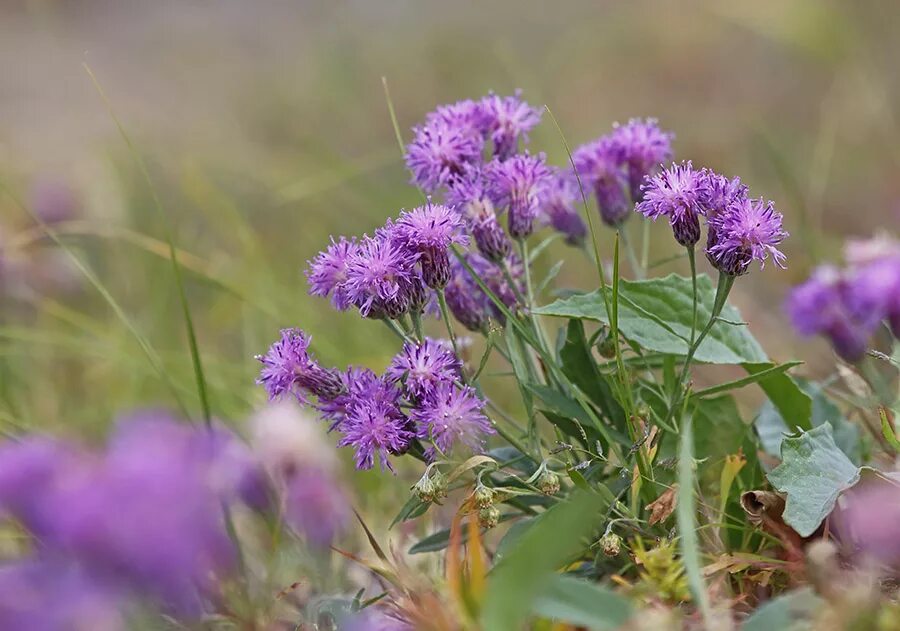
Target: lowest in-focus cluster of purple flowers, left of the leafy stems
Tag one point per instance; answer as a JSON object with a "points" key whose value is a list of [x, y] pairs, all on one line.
{"points": [[419, 398]]}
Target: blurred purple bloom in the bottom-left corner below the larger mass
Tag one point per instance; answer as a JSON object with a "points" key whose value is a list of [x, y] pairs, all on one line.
{"points": [[45, 595]]}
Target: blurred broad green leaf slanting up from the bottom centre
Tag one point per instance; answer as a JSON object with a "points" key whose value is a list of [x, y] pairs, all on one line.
{"points": [[528, 568]]}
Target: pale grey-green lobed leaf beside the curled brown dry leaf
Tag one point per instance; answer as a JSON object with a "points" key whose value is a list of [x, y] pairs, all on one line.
{"points": [[813, 473]]}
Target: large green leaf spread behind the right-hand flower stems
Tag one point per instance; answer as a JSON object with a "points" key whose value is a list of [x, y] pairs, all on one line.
{"points": [[656, 314]]}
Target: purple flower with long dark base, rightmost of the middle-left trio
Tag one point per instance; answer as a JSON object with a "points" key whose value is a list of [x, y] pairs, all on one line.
{"points": [[430, 231]]}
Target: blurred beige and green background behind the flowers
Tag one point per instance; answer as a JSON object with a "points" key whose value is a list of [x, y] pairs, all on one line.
{"points": [[265, 129]]}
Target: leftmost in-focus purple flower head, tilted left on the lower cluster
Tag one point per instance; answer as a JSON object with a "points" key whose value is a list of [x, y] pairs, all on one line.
{"points": [[288, 368]]}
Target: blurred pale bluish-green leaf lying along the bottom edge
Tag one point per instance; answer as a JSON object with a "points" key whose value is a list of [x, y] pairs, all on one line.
{"points": [[582, 603]]}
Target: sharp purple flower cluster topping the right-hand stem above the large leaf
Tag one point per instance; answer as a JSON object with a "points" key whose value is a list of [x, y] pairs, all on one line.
{"points": [[739, 229]]}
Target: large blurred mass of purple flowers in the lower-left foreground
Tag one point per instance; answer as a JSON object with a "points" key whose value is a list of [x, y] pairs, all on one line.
{"points": [[140, 523]]}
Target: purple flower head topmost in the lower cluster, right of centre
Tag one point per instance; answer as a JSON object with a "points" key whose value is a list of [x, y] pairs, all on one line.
{"points": [[423, 367]]}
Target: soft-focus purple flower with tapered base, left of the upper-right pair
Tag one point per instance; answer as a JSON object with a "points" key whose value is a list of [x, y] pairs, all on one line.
{"points": [[599, 165]]}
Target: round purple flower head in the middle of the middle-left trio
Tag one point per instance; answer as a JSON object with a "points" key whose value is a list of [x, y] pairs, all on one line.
{"points": [[381, 276]]}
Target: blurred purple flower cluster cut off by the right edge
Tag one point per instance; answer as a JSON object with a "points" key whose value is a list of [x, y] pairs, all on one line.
{"points": [[848, 305]]}
